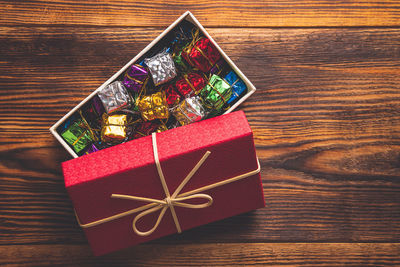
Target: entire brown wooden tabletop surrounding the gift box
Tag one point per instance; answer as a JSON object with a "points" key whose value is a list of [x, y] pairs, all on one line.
{"points": [[326, 121]]}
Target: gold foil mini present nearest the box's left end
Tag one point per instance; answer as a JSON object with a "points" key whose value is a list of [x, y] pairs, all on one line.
{"points": [[114, 128]]}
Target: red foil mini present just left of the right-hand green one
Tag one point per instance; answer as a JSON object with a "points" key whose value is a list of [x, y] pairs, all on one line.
{"points": [[190, 84]]}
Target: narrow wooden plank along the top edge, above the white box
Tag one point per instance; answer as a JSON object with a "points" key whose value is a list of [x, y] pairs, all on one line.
{"points": [[223, 13]]}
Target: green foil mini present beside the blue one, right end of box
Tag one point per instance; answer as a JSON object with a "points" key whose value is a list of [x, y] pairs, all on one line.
{"points": [[216, 93]]}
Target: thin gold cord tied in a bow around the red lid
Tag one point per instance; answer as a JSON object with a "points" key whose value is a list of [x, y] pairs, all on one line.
{"points": [[169, 201]]}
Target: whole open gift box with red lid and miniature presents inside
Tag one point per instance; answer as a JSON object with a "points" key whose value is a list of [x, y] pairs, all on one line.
{"points": [[176, 178]]}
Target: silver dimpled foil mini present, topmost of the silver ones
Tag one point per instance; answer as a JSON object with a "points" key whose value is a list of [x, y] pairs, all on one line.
{"points": [[161, 67]]}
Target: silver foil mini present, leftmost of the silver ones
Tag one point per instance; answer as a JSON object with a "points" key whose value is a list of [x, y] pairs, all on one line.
{"points": [[114, 97]]}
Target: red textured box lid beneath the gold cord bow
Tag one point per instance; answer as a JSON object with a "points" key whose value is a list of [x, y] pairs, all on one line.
{"points": [[130, 169]]}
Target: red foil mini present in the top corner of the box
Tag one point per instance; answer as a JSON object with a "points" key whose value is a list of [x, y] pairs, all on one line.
{"points": [[203, 55]]}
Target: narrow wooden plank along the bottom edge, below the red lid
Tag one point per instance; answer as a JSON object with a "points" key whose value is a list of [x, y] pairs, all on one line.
{"points": [[288, 254]]}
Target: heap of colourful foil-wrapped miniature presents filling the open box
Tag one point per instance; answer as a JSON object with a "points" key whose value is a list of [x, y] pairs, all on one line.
{"points": [[182, 80]]}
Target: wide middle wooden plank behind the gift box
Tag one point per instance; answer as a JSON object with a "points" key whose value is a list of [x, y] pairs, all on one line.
{"points": [[326, 120]]}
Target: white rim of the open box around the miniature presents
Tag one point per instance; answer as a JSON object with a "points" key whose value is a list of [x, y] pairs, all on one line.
{"points": [[186, 16]]}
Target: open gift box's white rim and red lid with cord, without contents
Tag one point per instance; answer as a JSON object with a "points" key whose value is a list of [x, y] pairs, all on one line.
{"points": [[168, 181]]}
